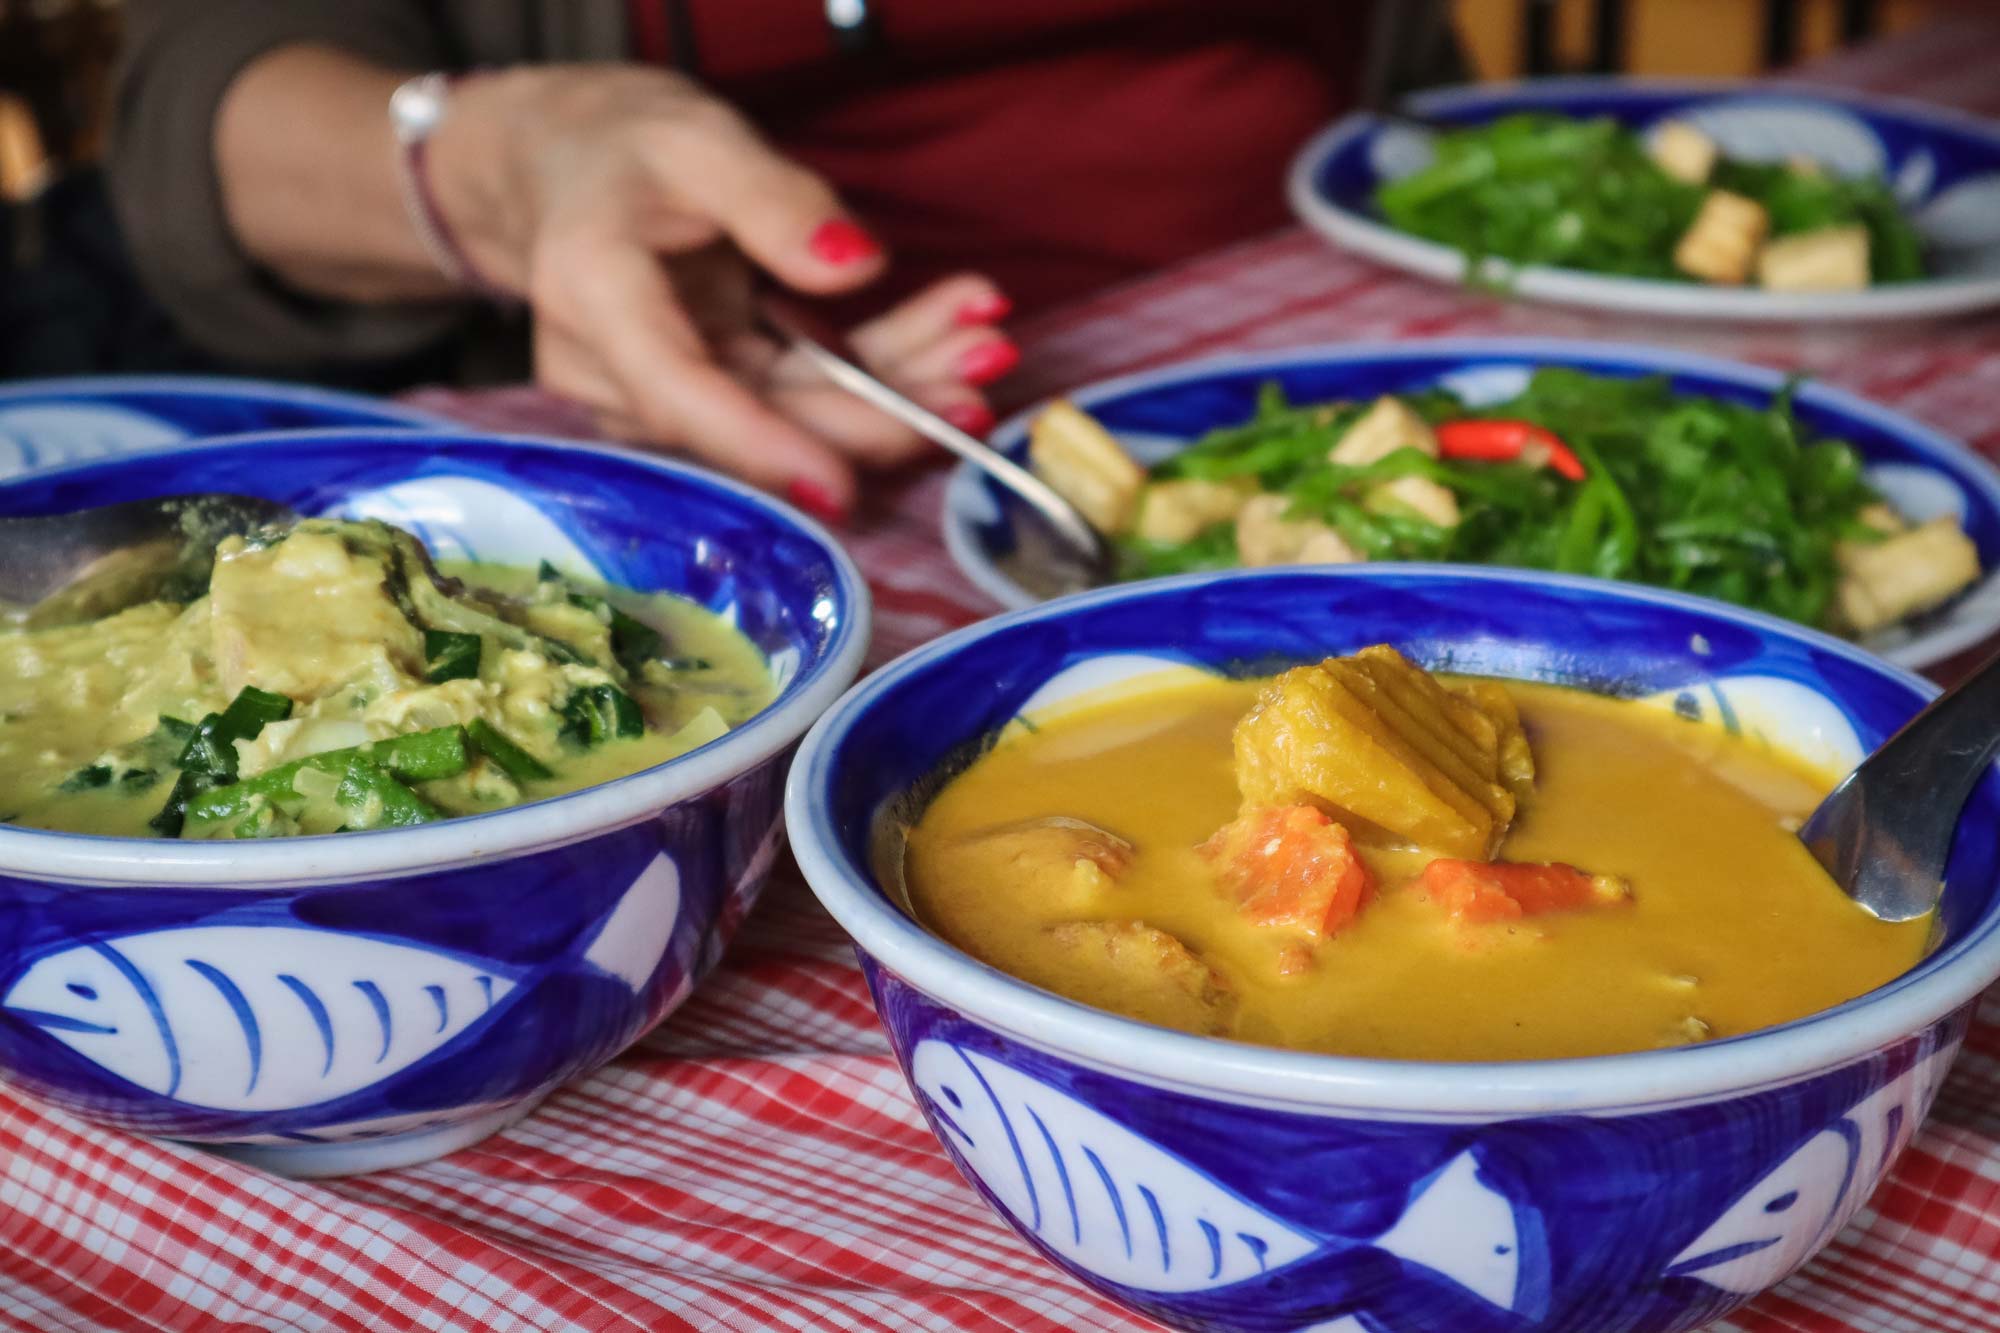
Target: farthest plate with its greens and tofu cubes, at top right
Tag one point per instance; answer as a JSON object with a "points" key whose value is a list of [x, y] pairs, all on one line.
{"points": [[1679, 199]]}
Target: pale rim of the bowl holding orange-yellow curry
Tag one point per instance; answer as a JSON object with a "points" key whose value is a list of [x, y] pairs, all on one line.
{"points": [[1299, 1080]]}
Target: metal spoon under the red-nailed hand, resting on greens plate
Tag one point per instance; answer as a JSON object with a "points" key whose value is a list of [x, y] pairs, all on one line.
{"points": [[1077, 559]]}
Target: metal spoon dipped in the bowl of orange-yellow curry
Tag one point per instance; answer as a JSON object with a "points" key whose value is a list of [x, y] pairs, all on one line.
{"points": [[1887, 832]]}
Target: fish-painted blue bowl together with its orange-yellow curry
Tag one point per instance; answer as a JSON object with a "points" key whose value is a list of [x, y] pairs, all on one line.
{"points": [[1393, 948]]}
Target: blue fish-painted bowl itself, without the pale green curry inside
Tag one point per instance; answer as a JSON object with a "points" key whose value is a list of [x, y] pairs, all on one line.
{"points": [[345, 1004]]}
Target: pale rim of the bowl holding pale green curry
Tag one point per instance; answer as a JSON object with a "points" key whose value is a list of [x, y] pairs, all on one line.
{"points": [[469, 840]]}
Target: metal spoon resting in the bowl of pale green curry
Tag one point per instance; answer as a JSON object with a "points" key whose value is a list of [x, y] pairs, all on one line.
{"points": [[61, 569]]}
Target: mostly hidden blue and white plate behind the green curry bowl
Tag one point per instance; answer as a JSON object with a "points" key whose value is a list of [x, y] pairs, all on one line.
{"points": [[49, 423]]}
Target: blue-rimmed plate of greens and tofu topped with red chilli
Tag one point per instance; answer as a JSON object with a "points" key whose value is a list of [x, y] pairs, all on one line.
{"points": [[1629, 463]]}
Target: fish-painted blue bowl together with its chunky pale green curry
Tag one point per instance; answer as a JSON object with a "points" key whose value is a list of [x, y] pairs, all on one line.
{"points": [[355, 836]]}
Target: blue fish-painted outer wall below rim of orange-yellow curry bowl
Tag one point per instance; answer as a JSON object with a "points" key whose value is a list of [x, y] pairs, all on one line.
{"points": [[1141, 1190]]}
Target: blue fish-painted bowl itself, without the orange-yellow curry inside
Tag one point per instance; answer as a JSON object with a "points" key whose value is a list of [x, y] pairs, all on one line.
{"points": [[1221, 1186]]}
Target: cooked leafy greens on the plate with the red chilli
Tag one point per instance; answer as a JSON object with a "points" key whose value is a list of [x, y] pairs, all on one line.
{"points": [[1679, 491]]}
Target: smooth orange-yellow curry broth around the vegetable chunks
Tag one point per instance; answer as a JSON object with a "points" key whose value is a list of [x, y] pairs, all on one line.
{"points": [[1731, 926]]}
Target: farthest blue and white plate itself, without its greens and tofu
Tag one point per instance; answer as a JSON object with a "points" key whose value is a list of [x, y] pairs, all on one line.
{"points": [[1943, 167]]}
